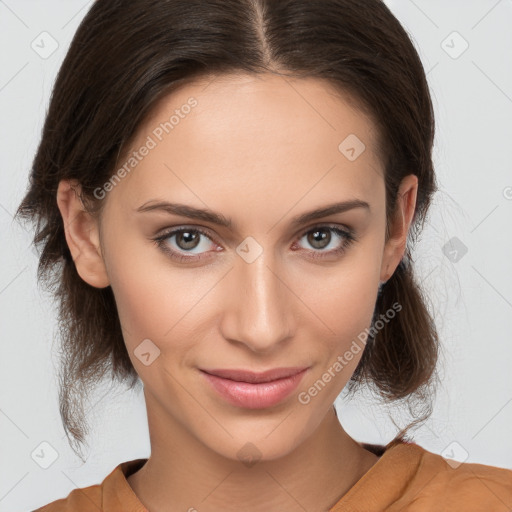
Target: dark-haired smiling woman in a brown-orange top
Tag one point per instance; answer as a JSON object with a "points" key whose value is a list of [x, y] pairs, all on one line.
{"points": [[224, 193]]}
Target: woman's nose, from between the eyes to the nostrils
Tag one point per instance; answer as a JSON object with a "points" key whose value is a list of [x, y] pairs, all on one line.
{"points": [[259, 307]]}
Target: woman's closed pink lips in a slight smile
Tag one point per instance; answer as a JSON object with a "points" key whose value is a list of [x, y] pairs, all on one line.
{"points": [[251, 390]]}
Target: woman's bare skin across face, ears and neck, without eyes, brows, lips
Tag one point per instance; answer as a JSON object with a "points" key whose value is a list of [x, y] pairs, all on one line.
{"points": [[259, 150]]}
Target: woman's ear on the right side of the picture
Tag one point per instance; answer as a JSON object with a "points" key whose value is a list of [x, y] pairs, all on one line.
{"points": [[395, 247]]}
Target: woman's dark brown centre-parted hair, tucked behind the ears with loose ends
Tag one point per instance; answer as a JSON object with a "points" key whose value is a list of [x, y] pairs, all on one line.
{"points": [[128, 54]]}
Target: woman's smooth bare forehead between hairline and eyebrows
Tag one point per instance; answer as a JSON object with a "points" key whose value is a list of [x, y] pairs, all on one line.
{"points": [[254, 134]]}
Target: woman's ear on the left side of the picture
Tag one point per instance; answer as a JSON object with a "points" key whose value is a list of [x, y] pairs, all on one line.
{"points": [[82, 235]]}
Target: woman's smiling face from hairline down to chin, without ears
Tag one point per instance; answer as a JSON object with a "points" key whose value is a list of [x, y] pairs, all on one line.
{"points": [[264, 289]]}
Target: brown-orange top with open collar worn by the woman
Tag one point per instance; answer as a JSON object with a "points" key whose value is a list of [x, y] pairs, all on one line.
{"points": [[405, 478]]}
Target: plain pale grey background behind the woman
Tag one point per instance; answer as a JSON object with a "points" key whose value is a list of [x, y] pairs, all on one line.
{"points": [[463, 259]]}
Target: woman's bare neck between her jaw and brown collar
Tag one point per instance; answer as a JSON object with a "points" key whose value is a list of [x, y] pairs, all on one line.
{"points": [[183, 474]]}
